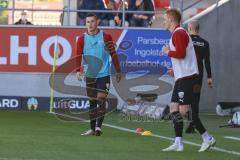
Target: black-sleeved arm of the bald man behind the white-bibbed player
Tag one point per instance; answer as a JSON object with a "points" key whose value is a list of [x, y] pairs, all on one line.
{"points": [[207, 64]]}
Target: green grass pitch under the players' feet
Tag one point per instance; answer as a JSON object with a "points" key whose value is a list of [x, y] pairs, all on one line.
{"points": [[41, 136]]}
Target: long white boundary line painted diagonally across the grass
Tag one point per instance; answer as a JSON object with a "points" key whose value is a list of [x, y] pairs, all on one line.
{"points": [[157, 136]]}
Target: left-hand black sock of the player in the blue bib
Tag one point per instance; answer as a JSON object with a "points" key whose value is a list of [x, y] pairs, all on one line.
{"points": [[93, 114]]}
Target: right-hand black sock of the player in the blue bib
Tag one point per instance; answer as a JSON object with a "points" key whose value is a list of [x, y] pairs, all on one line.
{"points": [[101, 111]]}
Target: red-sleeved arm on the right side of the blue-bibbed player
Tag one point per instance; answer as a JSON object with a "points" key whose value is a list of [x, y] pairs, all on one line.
{"points": [[112, 51]]}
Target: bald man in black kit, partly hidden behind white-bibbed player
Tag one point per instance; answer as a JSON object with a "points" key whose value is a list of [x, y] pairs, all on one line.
{"points": [[202, 50]]}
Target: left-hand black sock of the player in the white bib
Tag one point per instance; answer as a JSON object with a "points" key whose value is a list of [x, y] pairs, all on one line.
{"points": [[178, 123]]}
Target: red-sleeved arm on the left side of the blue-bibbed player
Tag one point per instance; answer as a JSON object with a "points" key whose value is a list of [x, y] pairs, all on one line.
{"points": [[79, 53]]}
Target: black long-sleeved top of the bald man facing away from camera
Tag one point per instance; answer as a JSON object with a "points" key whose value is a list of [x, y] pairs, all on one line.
{"points": [[202, 50]]}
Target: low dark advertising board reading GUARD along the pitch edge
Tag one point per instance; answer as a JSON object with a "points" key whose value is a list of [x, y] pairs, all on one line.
{"points": [[42, 103]]}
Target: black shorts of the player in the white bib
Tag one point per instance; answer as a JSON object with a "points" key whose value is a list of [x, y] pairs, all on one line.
{"points": [[184, 89]]}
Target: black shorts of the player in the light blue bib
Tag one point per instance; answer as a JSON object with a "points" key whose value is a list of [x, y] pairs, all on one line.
{"points": [[98, 84]]}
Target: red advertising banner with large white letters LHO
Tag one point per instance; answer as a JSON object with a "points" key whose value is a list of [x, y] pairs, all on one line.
{"points": [[31, 49]]}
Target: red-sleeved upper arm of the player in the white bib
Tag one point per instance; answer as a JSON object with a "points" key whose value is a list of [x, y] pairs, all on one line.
{"points": [[180, 40]]}
